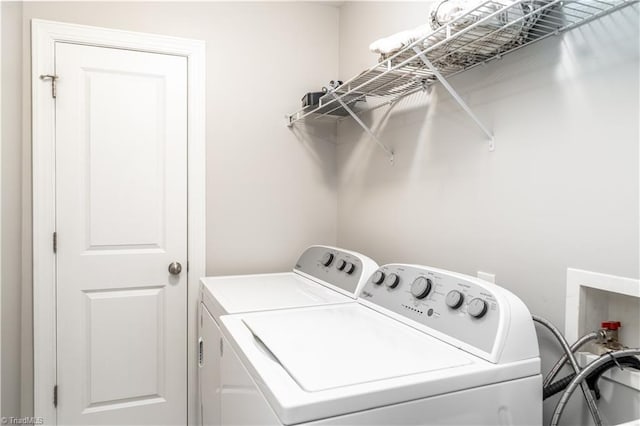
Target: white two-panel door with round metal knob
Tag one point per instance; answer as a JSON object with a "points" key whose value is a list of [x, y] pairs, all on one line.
{"points": [[121, 221]]}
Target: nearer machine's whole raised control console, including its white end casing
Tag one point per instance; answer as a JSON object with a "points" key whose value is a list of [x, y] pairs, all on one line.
{"points": [[464, 311]]}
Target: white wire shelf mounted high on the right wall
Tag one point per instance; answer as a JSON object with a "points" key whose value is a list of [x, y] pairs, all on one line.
{"points": [[487, 32]]}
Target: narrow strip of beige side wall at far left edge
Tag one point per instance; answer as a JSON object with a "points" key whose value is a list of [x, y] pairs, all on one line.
{"points": [[12, 217]]}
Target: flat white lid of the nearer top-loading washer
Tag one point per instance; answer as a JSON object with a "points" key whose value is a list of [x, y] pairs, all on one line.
{"points": [[333, 347]]}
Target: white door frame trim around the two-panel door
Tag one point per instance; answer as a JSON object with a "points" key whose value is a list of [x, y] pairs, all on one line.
{"points": [[44, 35]]}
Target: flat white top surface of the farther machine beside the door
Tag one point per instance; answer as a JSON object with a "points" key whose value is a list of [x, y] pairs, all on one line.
{"points": [[261, 292]]}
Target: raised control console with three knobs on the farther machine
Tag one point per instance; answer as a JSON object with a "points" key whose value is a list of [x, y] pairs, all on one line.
{"points": [[344, 269]]}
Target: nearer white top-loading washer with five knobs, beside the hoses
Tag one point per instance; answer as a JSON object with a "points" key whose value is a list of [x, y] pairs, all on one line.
{"points": [[421, 346]]}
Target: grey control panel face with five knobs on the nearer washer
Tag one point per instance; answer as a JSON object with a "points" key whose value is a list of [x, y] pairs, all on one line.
{"points": [[461, 308]]}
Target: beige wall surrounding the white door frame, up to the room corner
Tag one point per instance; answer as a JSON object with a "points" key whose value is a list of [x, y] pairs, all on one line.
{"points": [[270, 190]]}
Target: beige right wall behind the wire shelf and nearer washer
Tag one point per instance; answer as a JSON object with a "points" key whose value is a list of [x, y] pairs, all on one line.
{"points": [[561, 189]]}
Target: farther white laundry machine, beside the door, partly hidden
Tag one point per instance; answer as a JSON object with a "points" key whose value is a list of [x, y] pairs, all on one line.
{"points": [[321, 276]]}
